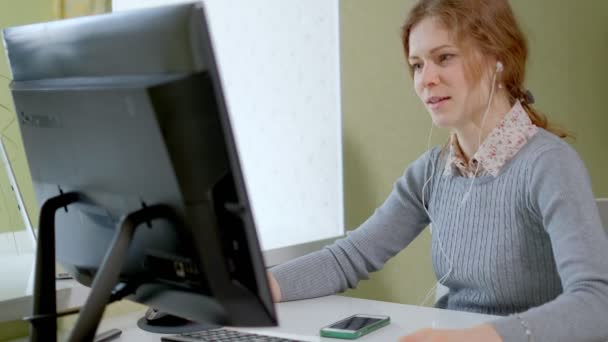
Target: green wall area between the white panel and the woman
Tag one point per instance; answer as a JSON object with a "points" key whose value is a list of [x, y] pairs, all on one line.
{"points": [[385, 128]]}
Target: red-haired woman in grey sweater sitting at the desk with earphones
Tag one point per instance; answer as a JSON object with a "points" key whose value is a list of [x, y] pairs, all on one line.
{"points": [[516, 231]]}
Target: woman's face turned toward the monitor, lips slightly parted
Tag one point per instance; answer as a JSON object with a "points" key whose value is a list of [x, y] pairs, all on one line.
{"points": [[439, 77]]}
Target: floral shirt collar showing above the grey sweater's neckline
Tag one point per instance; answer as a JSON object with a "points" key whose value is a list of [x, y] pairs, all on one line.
{"points": [[505, 140]]}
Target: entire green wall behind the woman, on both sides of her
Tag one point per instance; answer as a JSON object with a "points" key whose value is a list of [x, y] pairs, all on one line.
{"points": [[386, 127]]}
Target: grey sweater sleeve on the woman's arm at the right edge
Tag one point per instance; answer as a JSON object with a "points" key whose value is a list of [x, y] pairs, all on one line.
{"points": [[562, 198]]}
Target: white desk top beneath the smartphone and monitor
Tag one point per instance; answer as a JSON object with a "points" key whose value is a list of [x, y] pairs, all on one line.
{"points": [[304, 318]]}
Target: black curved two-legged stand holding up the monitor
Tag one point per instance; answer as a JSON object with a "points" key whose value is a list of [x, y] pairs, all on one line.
{"points": [[43, 320]]}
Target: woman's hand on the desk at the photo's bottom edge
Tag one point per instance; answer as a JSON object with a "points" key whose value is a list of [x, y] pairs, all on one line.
{"points": [[482, 333]]}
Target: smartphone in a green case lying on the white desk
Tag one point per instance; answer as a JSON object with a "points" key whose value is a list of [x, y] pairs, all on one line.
{"points": [[355, 326]]}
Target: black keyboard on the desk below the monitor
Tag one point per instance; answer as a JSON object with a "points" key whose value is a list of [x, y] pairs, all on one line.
{"points": [[223, 335]]}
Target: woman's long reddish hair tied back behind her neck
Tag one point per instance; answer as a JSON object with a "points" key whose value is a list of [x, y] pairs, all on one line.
{"points": [[490, 28]]}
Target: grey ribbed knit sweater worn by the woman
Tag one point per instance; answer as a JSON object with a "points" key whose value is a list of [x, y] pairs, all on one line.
{"points": [[527, 241]]}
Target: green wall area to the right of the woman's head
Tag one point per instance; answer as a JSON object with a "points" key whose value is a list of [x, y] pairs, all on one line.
{"points": [[568, 73]]}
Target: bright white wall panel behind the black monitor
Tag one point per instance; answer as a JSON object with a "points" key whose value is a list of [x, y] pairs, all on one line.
{"points": [[279, 64]]}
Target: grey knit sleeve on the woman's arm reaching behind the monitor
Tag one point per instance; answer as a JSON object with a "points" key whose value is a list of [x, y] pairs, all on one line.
{"points": [[389, 230]]}
